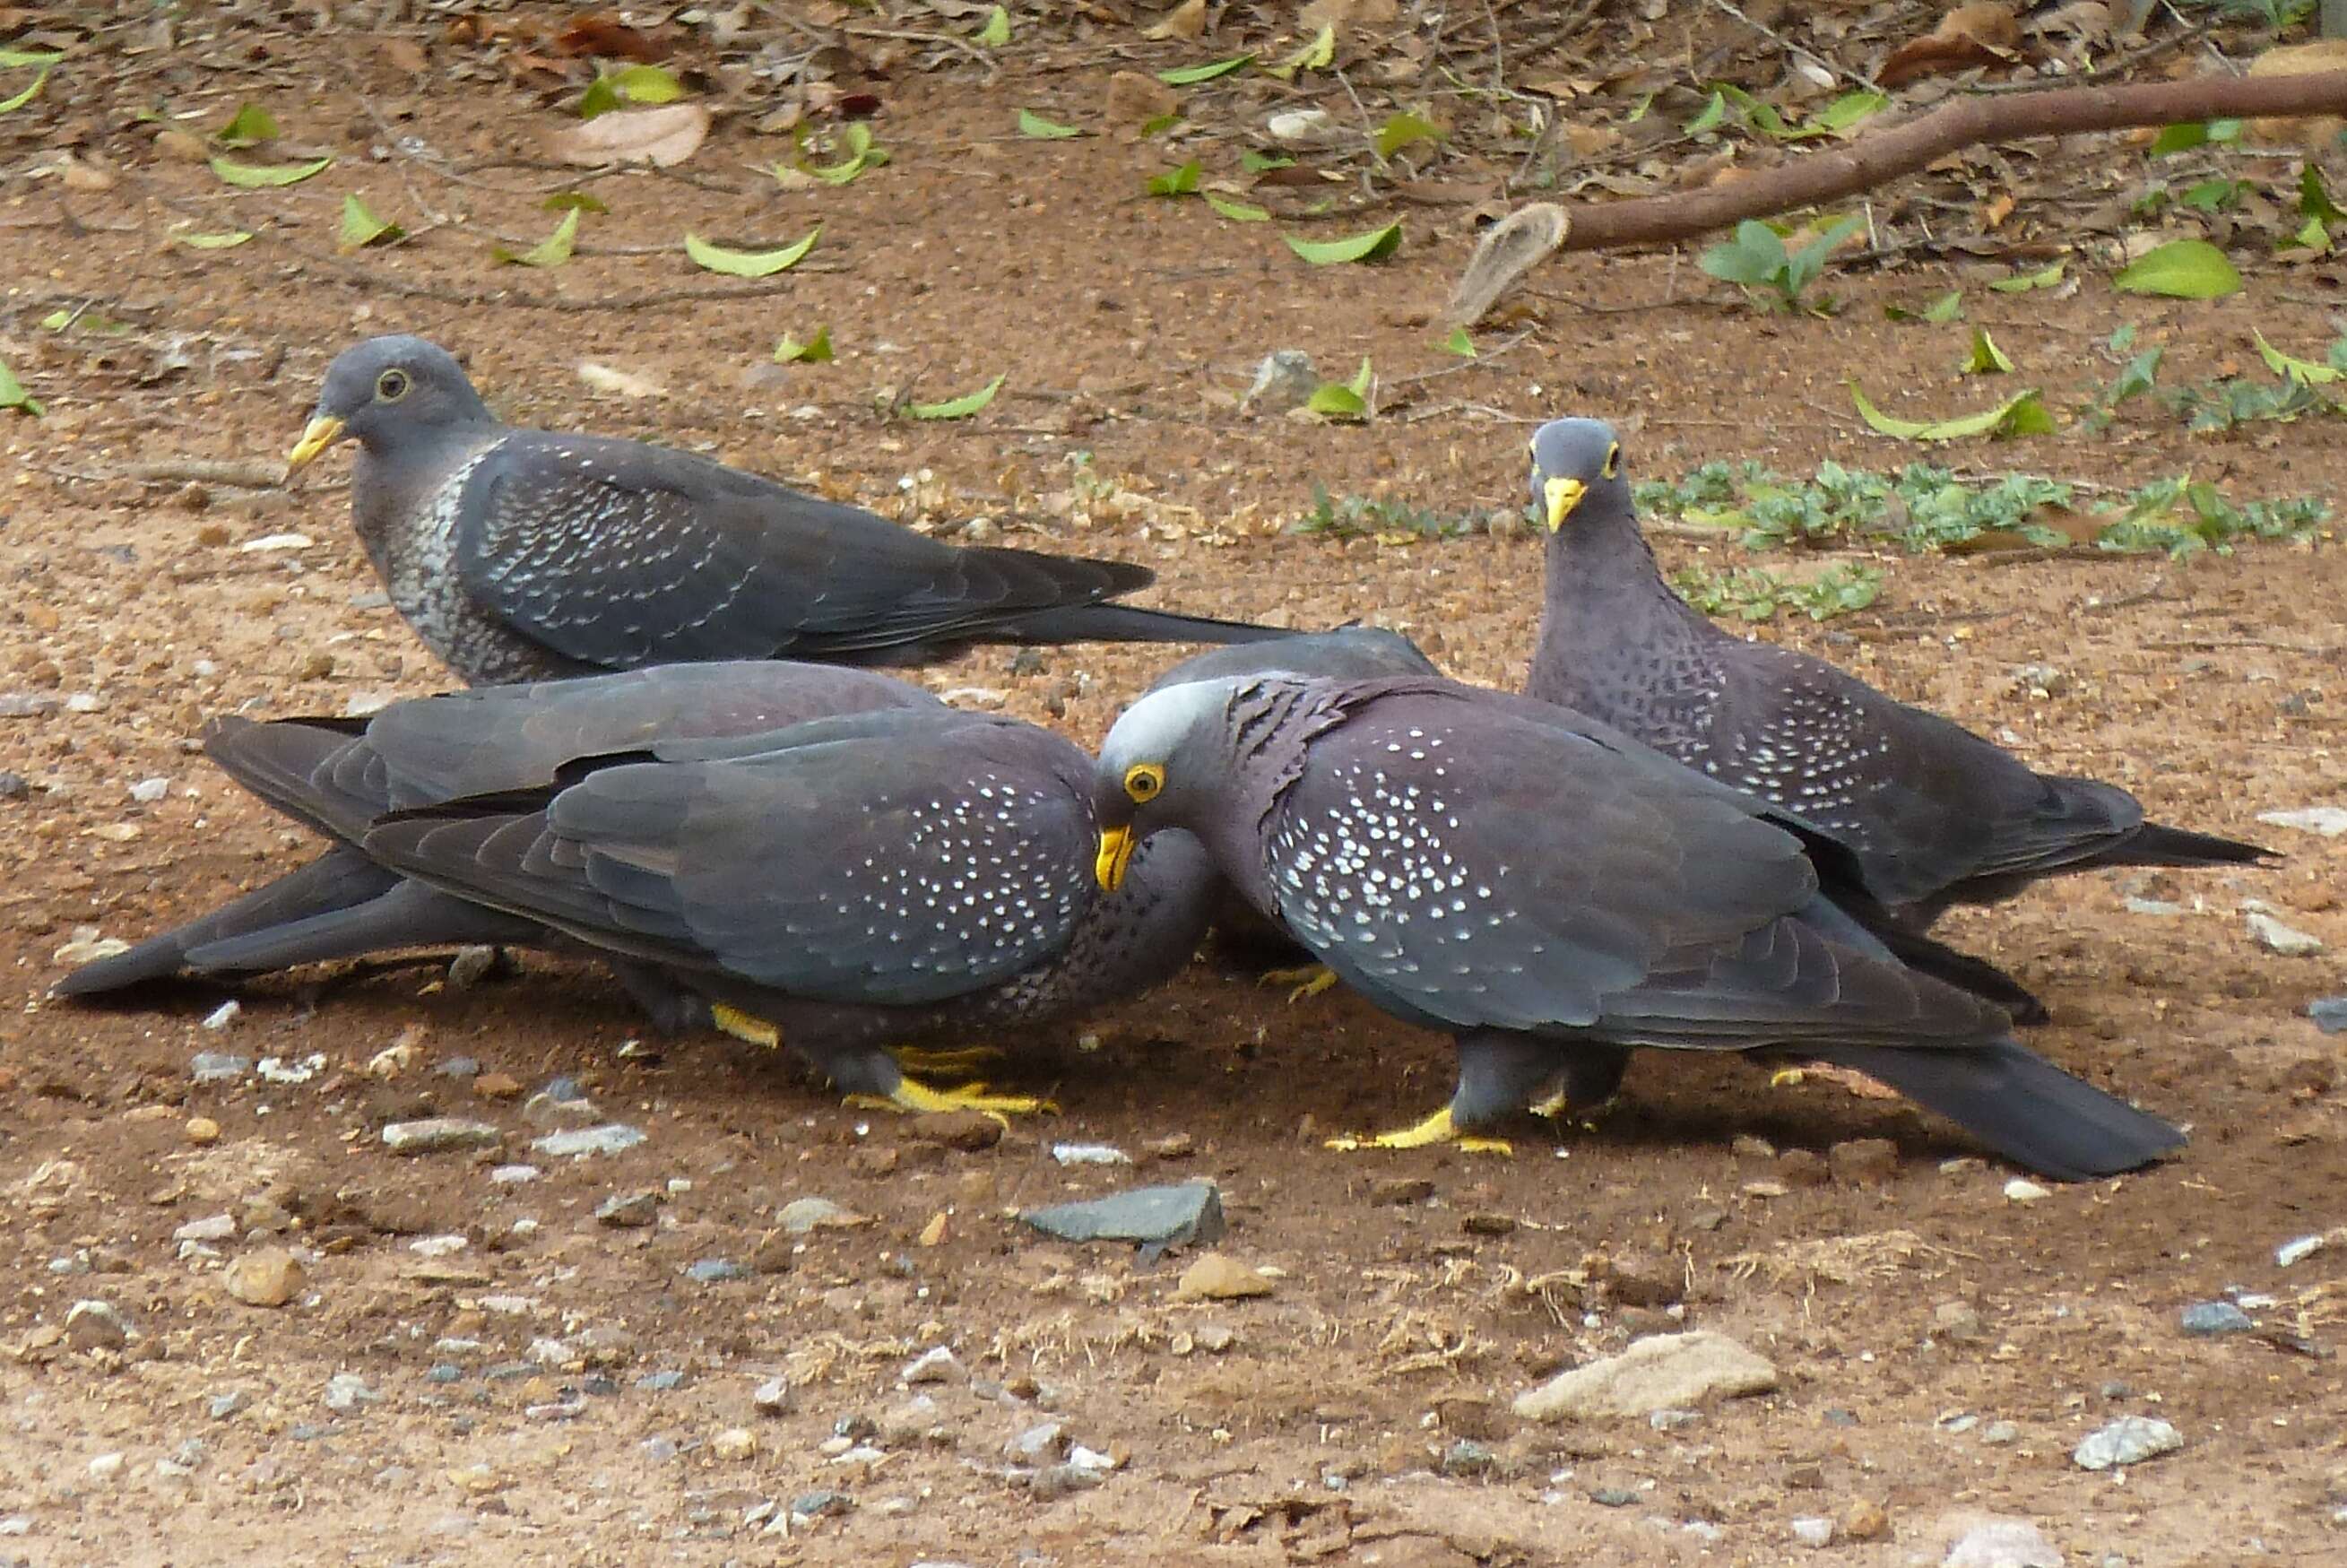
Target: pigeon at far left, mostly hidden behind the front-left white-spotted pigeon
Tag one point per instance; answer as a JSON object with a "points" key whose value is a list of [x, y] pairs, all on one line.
{"points": [[339, 776]]}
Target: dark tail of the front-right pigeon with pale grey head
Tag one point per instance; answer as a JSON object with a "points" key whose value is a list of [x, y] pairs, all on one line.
{"points": [[2020, 1104]]}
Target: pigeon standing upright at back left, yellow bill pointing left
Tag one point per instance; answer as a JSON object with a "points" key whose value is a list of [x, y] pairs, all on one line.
{"points": [[522, 553]]}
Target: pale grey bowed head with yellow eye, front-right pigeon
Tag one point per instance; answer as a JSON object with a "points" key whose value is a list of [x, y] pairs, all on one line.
{"points": [[1161, 766]]}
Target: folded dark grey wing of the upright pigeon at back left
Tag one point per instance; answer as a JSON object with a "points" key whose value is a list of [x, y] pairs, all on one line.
{"points": [[616, 553]]}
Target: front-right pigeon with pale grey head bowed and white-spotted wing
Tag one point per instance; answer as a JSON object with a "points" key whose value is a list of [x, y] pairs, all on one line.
{"points": [[1555, 893]]}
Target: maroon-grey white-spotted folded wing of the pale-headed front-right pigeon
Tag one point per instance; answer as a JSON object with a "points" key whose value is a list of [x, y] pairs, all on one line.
{"points": [[1515, 874]]}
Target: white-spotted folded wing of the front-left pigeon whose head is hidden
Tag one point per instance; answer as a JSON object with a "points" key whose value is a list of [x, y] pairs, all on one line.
{"points": [[879, 870]]}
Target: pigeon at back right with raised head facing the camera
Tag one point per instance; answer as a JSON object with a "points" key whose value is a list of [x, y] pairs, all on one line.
{"points": [[1933, 813]]}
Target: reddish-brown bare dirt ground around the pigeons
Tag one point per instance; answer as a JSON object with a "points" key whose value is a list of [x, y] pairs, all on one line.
{"points": [[557, 1391]]}
